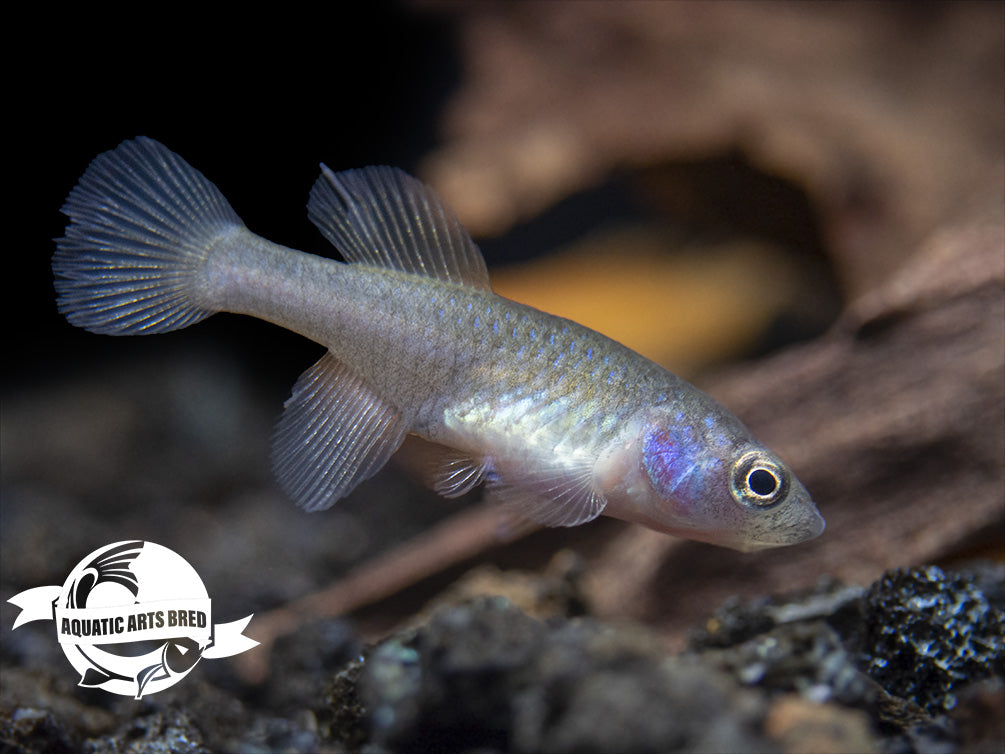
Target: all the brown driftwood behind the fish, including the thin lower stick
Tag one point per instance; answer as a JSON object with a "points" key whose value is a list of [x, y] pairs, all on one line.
{"points": [[894, 419]]}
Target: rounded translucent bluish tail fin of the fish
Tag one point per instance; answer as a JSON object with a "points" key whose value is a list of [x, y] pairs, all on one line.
{"points": [[142, 225]]}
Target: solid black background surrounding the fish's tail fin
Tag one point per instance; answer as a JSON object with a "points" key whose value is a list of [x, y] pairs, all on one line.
{"points": [[253, 103]]}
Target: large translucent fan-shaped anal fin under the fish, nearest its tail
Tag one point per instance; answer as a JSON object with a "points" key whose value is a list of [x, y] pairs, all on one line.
{"points": [[334, 434]]}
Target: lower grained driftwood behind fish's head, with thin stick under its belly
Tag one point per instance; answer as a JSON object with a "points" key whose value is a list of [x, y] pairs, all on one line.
{"points": [[894, 421]]}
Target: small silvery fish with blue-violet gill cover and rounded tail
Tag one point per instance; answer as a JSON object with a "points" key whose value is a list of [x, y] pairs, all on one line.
{"points": [[561, 424]]}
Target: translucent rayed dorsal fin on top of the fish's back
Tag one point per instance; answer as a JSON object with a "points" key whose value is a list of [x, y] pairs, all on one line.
{"points": [[385, 218]]}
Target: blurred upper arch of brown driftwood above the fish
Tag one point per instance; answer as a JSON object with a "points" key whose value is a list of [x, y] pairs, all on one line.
{"points": [[889, 118]]}
